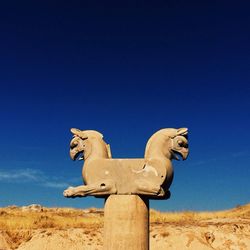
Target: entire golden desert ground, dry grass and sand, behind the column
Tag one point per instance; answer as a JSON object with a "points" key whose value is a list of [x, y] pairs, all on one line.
{"points": [[38, 228]]}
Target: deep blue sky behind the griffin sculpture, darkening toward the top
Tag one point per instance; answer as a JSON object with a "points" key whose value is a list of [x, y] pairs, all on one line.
{"points": [[125, 70]]}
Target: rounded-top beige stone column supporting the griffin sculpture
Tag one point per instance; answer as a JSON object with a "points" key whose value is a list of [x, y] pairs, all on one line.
{"points": [[126, 223]]}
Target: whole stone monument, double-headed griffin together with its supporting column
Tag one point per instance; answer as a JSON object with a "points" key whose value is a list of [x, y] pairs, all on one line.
{"points": [[127, 184]]}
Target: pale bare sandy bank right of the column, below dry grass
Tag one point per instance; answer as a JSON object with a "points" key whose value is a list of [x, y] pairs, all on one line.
{"points": [[233, 235]]}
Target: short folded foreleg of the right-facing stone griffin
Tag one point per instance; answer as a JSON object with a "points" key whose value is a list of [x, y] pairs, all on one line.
{"points": [[147, 188]]}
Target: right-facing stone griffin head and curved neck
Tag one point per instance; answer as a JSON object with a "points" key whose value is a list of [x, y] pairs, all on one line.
{"points": [[173, 143]]}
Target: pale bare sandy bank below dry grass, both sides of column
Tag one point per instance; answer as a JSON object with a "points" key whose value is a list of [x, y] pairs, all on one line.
{"points": [[213, 233]]}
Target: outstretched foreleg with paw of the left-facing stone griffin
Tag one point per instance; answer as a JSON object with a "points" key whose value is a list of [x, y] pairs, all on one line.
{"points": [[100, 188]]}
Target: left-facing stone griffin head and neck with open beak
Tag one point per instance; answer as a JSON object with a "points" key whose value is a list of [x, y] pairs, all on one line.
{"points": [[86, 142]]}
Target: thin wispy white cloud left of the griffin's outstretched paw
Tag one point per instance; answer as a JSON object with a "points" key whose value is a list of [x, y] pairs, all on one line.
{"points": [[29, 175]]}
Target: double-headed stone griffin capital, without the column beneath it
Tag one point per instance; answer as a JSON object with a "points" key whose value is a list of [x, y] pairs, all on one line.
{"points": [[151, 176]]}
